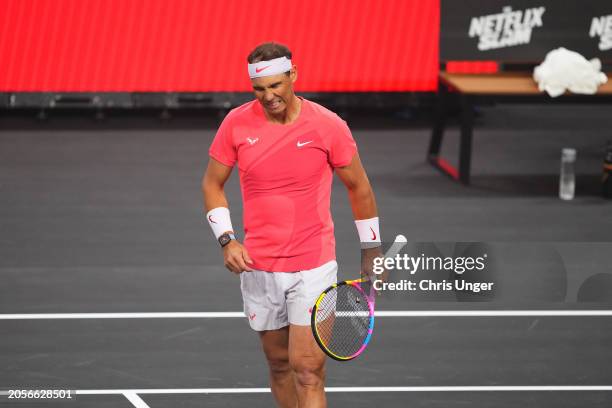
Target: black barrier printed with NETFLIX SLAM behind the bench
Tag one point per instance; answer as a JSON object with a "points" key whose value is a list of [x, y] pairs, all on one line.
{"points": [[523, 31]]}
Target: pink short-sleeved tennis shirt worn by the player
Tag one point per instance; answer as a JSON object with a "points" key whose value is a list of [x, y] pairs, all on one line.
{"points": [[286, 174]]}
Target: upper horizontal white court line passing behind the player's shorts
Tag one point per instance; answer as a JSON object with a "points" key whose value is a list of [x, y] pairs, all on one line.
{"points": [[381, 313]]}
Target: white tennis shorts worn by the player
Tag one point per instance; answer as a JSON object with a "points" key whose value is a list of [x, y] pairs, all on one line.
{"points": [[273, 300]]}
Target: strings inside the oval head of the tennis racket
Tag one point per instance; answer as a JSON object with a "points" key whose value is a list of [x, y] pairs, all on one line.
{"points": [[342, 320]]}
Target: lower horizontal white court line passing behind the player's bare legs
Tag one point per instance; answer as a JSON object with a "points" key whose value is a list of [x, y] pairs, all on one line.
{"points": [[493, 388]]}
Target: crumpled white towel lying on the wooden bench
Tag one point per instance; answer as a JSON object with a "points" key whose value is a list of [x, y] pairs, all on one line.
{"points": [[563, 70]]}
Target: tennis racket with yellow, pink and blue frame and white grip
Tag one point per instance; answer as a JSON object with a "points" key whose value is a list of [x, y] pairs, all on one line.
{"points": [[342, 318]]}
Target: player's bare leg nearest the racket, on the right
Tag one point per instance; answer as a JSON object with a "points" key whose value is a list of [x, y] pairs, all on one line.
{"points": [[308, 364]]}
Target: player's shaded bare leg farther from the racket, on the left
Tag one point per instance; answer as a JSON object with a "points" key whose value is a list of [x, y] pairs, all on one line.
{"points": [[276, 347]]}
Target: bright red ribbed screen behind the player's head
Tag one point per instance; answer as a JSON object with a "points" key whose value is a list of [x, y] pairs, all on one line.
{"points": [[201, 46]]}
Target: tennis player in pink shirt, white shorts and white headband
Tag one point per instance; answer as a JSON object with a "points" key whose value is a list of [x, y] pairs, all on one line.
{"points": [[286, 149]]}
